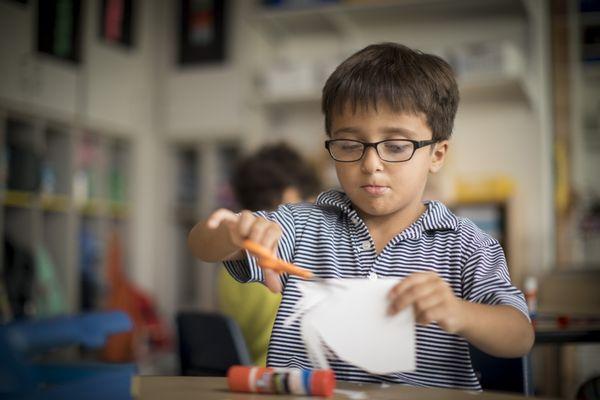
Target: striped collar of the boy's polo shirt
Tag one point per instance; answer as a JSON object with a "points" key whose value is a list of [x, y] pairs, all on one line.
{"points": [[437, 217]]}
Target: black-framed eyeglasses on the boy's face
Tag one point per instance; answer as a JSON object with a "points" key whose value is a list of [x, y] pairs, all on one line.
{"points": [[391, 150]]}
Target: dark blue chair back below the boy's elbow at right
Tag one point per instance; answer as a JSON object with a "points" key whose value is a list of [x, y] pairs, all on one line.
{"points": [[502, 374]]}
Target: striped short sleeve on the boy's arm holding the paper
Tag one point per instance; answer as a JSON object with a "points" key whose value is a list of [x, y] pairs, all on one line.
{"points": [[486, 279]]}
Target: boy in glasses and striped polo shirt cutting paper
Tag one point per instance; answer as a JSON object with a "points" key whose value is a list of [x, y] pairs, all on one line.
{"points": [[389, 113]]}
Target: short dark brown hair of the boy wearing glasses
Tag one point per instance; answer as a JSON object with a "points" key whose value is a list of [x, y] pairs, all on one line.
{"points": [[405, 79]]}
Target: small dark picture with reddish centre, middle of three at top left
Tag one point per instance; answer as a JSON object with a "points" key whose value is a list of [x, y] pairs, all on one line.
{"points": [[116, 23]]}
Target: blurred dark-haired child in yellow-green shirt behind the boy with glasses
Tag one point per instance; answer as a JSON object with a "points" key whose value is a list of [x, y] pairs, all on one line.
{"points": [[274, 175]]}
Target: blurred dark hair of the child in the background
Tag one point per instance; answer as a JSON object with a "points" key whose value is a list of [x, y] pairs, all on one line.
{"points": [[260, 179]]}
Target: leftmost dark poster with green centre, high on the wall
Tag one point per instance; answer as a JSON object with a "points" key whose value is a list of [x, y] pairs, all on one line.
{"points": [[59, 29]]}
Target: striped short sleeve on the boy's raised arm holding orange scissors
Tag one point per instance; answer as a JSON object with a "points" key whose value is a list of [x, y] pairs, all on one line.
{"points": [[247, 270]]}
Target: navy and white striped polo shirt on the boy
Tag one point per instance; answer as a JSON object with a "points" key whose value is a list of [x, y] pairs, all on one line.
{"points": [[330, 239]]}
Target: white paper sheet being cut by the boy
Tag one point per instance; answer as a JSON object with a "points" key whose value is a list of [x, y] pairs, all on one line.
{"points": [[350, 316]]}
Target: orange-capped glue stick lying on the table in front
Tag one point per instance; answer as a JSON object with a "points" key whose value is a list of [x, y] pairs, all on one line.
{"points": [[312, 382]]}
